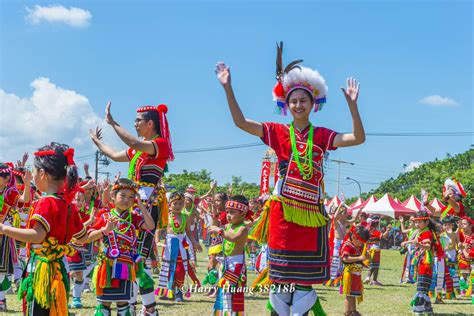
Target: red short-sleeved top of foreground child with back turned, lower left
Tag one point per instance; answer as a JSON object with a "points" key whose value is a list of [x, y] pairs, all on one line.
{"points": [[52, 213]]}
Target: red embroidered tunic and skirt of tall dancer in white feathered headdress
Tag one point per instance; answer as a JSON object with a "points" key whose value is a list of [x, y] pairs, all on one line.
{"points": [[297, 253]]}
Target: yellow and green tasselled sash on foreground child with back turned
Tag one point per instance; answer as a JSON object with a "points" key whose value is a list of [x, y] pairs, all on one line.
{"points": [[48, 284]]}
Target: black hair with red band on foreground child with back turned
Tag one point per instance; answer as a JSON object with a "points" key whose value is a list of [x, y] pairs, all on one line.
{"points": [[56, 165]]}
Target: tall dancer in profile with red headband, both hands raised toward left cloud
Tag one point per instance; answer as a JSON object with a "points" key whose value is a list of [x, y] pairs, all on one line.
{"points": [[148, 155]]}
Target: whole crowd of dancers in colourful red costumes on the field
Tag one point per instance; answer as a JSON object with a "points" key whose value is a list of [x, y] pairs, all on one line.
{"points": [[67, 233]]}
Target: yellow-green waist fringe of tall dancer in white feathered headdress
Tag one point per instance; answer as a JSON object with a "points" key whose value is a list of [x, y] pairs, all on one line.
{"points": [[303, 214]]}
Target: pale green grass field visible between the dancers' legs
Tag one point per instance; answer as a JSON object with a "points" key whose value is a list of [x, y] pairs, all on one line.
{"points": [[391, 299]]}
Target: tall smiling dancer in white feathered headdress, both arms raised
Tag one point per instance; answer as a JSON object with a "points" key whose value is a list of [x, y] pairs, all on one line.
{"points": [[295, 223]]}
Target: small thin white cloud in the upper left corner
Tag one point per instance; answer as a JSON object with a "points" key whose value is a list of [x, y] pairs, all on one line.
{"points": [[75, 17]]}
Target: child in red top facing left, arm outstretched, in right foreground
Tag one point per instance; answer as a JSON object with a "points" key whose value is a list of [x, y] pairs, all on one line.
{"points": [[427, 245]]}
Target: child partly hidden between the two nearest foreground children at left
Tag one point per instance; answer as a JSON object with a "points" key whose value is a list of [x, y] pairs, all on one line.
{"points": [[78, 262]]}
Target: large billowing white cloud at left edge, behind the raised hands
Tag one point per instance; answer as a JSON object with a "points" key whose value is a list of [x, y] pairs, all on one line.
{"points": [[51, 114]]}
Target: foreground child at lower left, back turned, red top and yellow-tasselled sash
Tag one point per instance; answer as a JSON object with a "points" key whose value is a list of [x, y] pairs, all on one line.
{"points": [[54, 221]]}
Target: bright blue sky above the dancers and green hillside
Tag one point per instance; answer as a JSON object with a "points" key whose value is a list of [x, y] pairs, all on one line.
{"points": [[151, 52]]}
